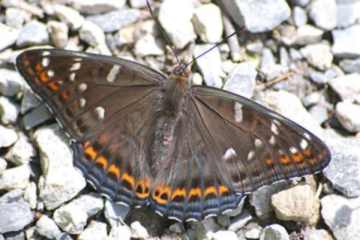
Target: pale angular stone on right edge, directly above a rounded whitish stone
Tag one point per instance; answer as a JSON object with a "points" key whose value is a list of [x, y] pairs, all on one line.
{"points": [[347, 87]]}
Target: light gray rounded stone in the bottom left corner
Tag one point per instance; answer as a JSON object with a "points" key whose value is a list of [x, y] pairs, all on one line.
{"points": [[14, 216]]}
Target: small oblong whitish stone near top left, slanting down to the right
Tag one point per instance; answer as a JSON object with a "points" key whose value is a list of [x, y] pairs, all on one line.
{"points": [[69, 16]]}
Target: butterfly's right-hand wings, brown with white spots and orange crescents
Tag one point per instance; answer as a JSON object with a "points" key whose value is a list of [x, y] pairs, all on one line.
{"points": [[230, 146]]}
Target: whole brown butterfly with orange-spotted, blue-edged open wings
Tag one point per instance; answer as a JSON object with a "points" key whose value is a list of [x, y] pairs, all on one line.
{"points": [[144, 138]]}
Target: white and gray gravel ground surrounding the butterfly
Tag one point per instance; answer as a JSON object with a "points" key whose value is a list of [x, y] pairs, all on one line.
{"points": [[300, 58]]}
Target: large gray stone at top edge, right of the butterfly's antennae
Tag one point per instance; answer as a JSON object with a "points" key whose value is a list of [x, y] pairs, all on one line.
{"points": [[272, 12]]}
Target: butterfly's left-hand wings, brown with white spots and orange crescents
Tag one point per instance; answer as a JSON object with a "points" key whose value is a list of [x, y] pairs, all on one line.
{"points": [[107, 106]]}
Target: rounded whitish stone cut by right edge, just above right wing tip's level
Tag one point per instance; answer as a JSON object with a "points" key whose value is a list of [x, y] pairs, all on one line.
{"points": [[348, 115]]}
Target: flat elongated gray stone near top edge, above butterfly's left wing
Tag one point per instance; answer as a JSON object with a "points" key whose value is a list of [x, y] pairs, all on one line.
{"points": [[115, 20]]}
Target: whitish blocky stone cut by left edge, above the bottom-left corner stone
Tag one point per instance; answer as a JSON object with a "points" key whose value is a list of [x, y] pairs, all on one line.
{"points": [[16, 177]]}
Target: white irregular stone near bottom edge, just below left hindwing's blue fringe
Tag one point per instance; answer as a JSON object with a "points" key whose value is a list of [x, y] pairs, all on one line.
{"points": [[73, 216]]}
